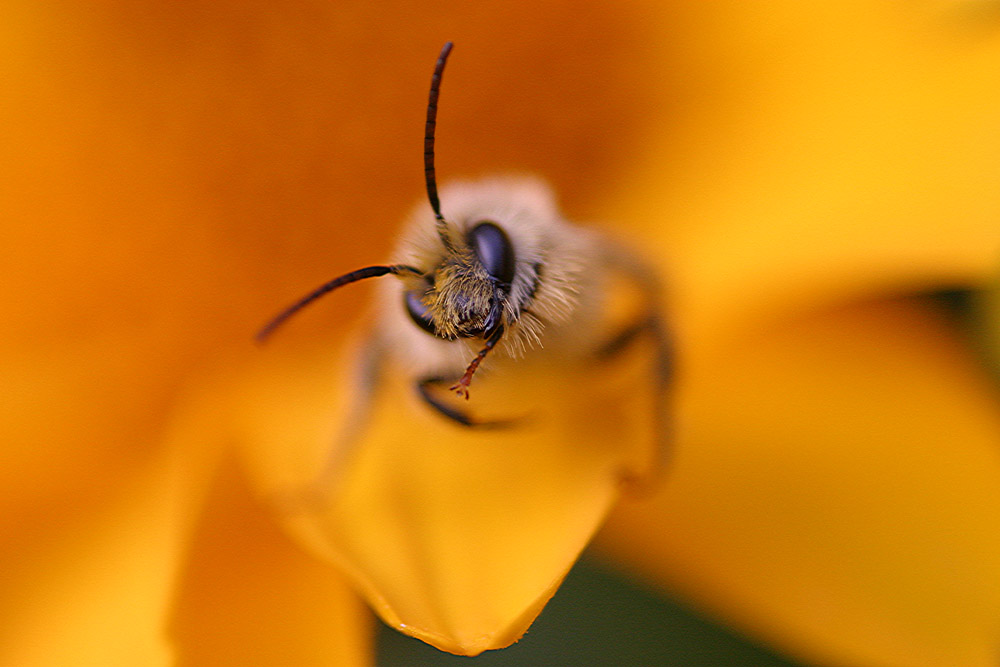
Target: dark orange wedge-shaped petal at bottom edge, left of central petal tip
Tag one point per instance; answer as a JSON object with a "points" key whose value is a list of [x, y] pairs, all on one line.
{"points": [[247, 595]]}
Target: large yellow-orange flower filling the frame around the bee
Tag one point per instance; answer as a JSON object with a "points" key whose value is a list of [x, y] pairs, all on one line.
{"points": [[798, 171]]}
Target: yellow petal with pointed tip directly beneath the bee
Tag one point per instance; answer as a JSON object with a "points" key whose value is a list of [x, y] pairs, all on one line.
{"points": [[455, 536]]}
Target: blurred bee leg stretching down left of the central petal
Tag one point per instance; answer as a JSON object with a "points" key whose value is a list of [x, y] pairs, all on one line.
{"points": [[314, 494]]}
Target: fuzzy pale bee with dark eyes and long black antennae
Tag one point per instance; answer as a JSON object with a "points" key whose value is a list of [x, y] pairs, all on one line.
{"points": [[498, 277]]}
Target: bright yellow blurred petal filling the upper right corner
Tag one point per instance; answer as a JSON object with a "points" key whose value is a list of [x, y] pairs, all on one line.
{"points": [[818, 151]]}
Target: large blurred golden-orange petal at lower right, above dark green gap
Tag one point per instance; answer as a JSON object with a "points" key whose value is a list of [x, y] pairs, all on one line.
{"points": [[837, 490]]}
